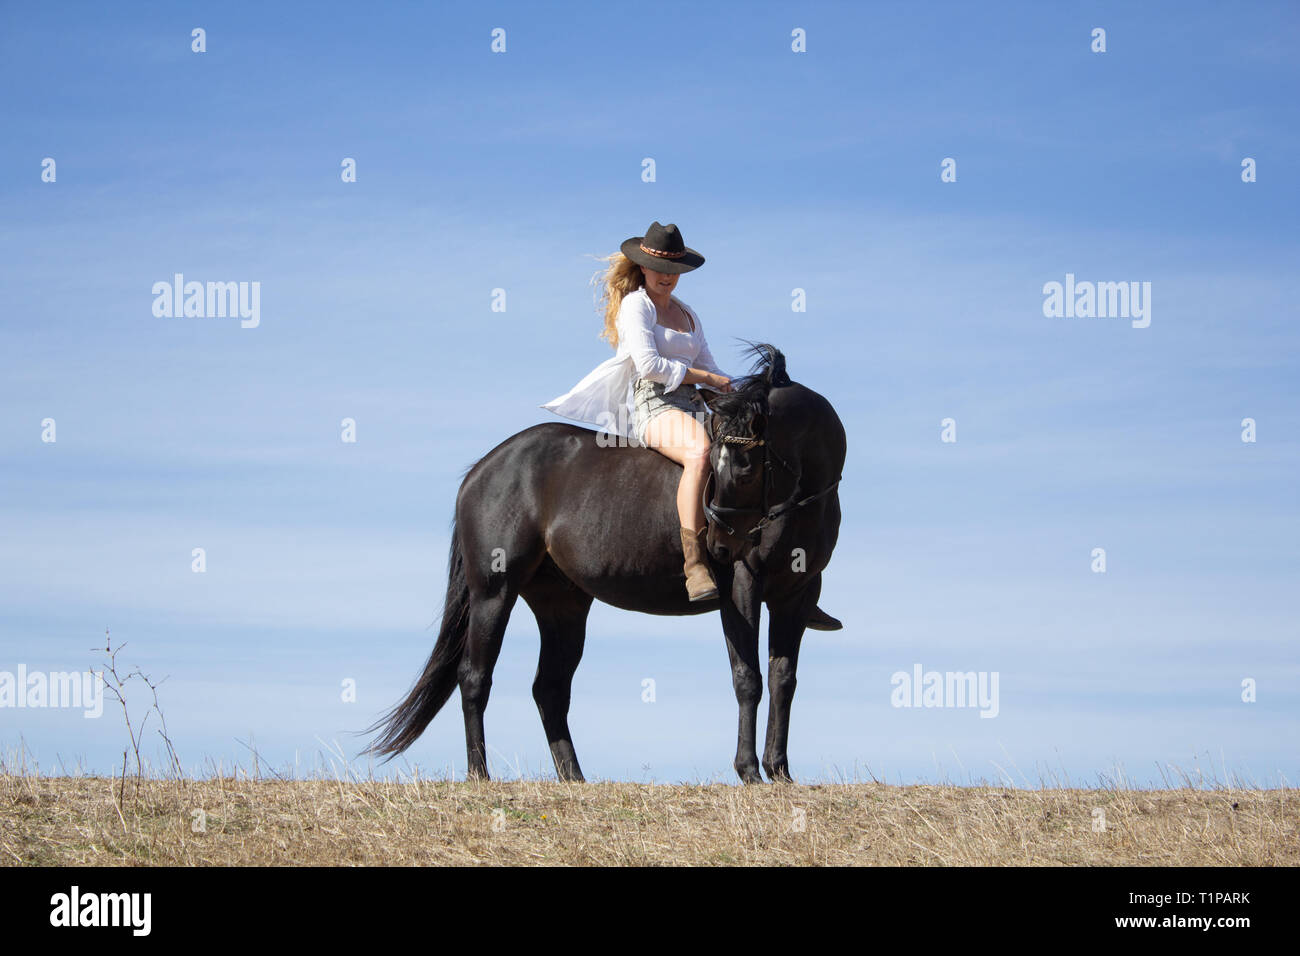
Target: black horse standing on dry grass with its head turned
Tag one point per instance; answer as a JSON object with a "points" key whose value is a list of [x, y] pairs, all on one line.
{"points": [[560, 518]]}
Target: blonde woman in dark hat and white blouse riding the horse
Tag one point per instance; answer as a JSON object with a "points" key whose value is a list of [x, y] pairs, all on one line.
{"points": [[651, 390]]}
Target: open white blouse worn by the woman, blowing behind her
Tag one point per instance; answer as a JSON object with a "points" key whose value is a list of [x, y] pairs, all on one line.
{"points": [[647, 351]]}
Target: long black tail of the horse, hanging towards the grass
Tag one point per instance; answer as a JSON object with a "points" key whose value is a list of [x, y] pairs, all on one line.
{"points": [[408, 720]]}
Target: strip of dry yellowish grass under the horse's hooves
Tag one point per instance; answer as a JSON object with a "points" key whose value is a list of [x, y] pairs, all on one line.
{"points": [[237, 821]]}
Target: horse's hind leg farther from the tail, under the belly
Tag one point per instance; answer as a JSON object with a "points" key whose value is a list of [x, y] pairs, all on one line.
{"points": [[561, 612]]}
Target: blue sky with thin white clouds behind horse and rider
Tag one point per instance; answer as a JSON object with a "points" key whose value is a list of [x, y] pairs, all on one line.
{"points": [[818, 171]]}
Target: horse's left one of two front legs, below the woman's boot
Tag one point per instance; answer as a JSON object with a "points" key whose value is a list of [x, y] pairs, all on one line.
{"points": [[742, 604]]}
